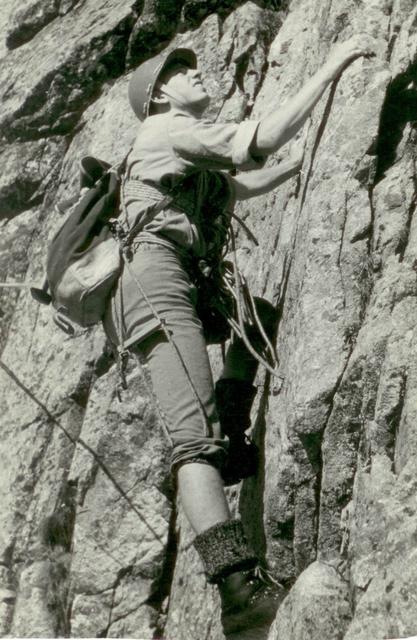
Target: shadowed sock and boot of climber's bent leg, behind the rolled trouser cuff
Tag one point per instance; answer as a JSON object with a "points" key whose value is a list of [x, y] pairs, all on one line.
{"points": [[234, 399]]}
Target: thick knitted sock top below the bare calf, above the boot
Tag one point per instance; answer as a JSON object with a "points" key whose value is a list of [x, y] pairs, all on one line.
{"points": [[224, 549]]}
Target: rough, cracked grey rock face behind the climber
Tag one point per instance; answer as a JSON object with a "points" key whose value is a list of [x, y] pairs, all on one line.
{"points": [[91, 543]]}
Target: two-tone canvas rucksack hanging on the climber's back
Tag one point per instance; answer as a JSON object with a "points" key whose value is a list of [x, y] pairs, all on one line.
{"points": [[84, 259]]}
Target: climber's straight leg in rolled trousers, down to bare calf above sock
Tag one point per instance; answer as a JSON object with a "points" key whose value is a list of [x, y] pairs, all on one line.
{"points": [[183, 387]]}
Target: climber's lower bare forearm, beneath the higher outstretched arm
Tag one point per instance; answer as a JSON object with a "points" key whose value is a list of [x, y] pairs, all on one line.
{"points": [[255, 183]]}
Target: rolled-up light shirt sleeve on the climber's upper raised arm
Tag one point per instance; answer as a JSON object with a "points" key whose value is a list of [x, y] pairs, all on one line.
{"points": [[214, 146]]}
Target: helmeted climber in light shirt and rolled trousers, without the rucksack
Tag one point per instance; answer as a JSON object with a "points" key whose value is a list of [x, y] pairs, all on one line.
{"points": [[178, 152]]}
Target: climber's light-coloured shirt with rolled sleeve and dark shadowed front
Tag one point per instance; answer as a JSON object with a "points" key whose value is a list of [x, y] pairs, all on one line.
{"points": [[175, 148]]}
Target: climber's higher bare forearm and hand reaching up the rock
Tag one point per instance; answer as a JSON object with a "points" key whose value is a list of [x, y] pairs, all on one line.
{"points": [[281, 125]]}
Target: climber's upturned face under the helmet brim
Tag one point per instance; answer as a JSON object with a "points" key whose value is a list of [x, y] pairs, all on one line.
{"points": [[182, 88]]}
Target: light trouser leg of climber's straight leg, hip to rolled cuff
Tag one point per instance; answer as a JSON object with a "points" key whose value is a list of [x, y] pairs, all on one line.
{"points": [[180, 368]]}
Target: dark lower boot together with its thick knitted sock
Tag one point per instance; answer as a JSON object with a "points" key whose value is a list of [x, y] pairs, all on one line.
{"points": [[249, 597]]}
